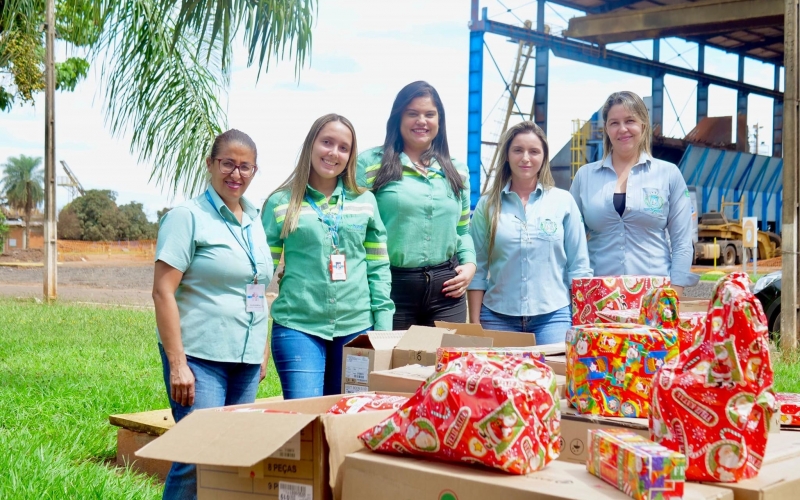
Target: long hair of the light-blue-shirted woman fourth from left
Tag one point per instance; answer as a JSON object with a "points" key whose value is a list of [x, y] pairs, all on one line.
{"points": [[503, 173]]}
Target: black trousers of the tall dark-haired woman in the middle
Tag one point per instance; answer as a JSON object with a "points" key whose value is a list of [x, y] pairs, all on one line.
{"points": [[418, 298]]}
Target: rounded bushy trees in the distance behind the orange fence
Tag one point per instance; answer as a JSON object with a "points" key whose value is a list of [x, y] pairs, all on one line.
{"points": [[95, 216]]}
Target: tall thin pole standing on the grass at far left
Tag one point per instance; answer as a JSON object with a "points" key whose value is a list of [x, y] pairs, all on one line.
{"points": [[50, 245]]}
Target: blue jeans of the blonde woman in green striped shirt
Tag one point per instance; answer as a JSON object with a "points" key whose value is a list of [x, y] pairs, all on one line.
{"points": [[308, 365]]}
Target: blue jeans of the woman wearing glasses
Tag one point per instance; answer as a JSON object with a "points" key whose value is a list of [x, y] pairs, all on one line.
{"points": [[215, 384]]}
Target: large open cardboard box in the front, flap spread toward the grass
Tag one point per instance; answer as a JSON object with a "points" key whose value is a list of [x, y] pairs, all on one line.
{"points": [[265, 455]]}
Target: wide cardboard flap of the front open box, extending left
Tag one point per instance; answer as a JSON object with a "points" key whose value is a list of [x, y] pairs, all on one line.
{"points": [[226, 438]]}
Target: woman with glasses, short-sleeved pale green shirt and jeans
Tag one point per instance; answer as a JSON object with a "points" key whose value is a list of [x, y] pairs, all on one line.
{"points": [[211, 271]]}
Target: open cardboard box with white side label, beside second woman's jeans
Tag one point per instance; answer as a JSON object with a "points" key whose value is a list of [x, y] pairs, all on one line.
{"points": [[365, 354]]}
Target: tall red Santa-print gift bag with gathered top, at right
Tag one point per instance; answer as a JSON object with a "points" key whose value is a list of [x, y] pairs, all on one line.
{"points": [[714, 403]]}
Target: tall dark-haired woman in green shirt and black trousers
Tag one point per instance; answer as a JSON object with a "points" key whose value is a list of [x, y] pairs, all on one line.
{"points": [[423, 197]]}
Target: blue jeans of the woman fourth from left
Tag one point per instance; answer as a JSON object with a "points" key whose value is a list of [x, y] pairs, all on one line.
{"points": [[549, 328]]}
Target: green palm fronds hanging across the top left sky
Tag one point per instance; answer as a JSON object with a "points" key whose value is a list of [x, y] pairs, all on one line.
{"points": [[166, 63]]}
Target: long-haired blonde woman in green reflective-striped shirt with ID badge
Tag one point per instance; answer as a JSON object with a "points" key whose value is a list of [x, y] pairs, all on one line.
{"points": [[336, 280]]}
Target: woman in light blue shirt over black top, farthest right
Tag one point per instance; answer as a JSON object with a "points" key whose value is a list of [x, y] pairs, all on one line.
{"points": [[636, 208]]}
